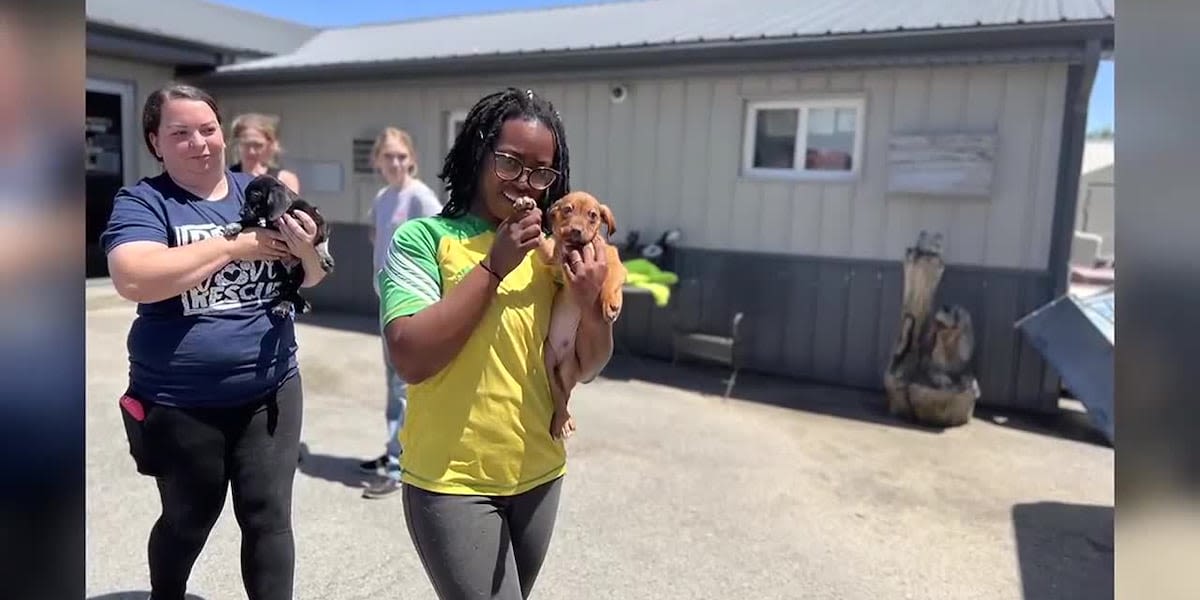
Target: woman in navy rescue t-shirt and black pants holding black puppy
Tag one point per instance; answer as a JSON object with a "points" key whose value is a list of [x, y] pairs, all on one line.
{"points": [[214, 399]]}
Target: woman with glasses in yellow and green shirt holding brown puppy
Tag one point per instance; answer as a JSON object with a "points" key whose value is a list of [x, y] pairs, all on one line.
{"points": [[465, 309]]}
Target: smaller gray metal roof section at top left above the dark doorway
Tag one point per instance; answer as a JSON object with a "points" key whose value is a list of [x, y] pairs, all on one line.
{"points": [[203, 23]]}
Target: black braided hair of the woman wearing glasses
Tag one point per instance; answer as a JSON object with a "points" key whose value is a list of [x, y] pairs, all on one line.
{"points": [[460, 172]]}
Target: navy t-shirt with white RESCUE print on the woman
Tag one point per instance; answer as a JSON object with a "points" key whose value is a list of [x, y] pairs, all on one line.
{"points": [[215, 345]]}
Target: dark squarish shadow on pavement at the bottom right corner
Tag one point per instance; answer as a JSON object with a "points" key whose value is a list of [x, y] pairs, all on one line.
{"points": [[1065, 550]]}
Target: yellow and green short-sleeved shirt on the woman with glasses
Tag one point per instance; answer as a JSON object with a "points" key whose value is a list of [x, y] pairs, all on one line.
{"points": [[482, 425]]}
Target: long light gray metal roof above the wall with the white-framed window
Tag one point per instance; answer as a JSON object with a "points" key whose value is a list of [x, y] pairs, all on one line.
{"points": [[661, 23]]}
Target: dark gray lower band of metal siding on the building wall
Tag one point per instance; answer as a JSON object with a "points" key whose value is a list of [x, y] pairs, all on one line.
{"points": [[823, 320]]}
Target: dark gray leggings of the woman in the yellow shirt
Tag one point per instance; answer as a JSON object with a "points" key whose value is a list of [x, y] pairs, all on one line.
{"points": [[482, 547]]}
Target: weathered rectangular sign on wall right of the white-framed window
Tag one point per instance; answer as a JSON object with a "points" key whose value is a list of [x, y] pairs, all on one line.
{"points": [[943, 165]]}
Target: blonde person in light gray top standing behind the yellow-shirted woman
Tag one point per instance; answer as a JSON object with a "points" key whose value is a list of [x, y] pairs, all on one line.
{"points": [[404, 199]]}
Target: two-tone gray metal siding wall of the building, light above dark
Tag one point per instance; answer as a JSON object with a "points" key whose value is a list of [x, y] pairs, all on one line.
{"points": [[814, 265]]}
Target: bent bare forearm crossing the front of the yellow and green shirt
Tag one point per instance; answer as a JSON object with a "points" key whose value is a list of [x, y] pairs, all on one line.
{"points": [[424, 344]]}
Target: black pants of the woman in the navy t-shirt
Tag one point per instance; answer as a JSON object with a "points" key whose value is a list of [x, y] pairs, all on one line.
{"points": [[199, 454]]}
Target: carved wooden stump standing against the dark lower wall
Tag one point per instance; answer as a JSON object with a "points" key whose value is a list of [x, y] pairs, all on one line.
{"points": [[927, 380]]}
